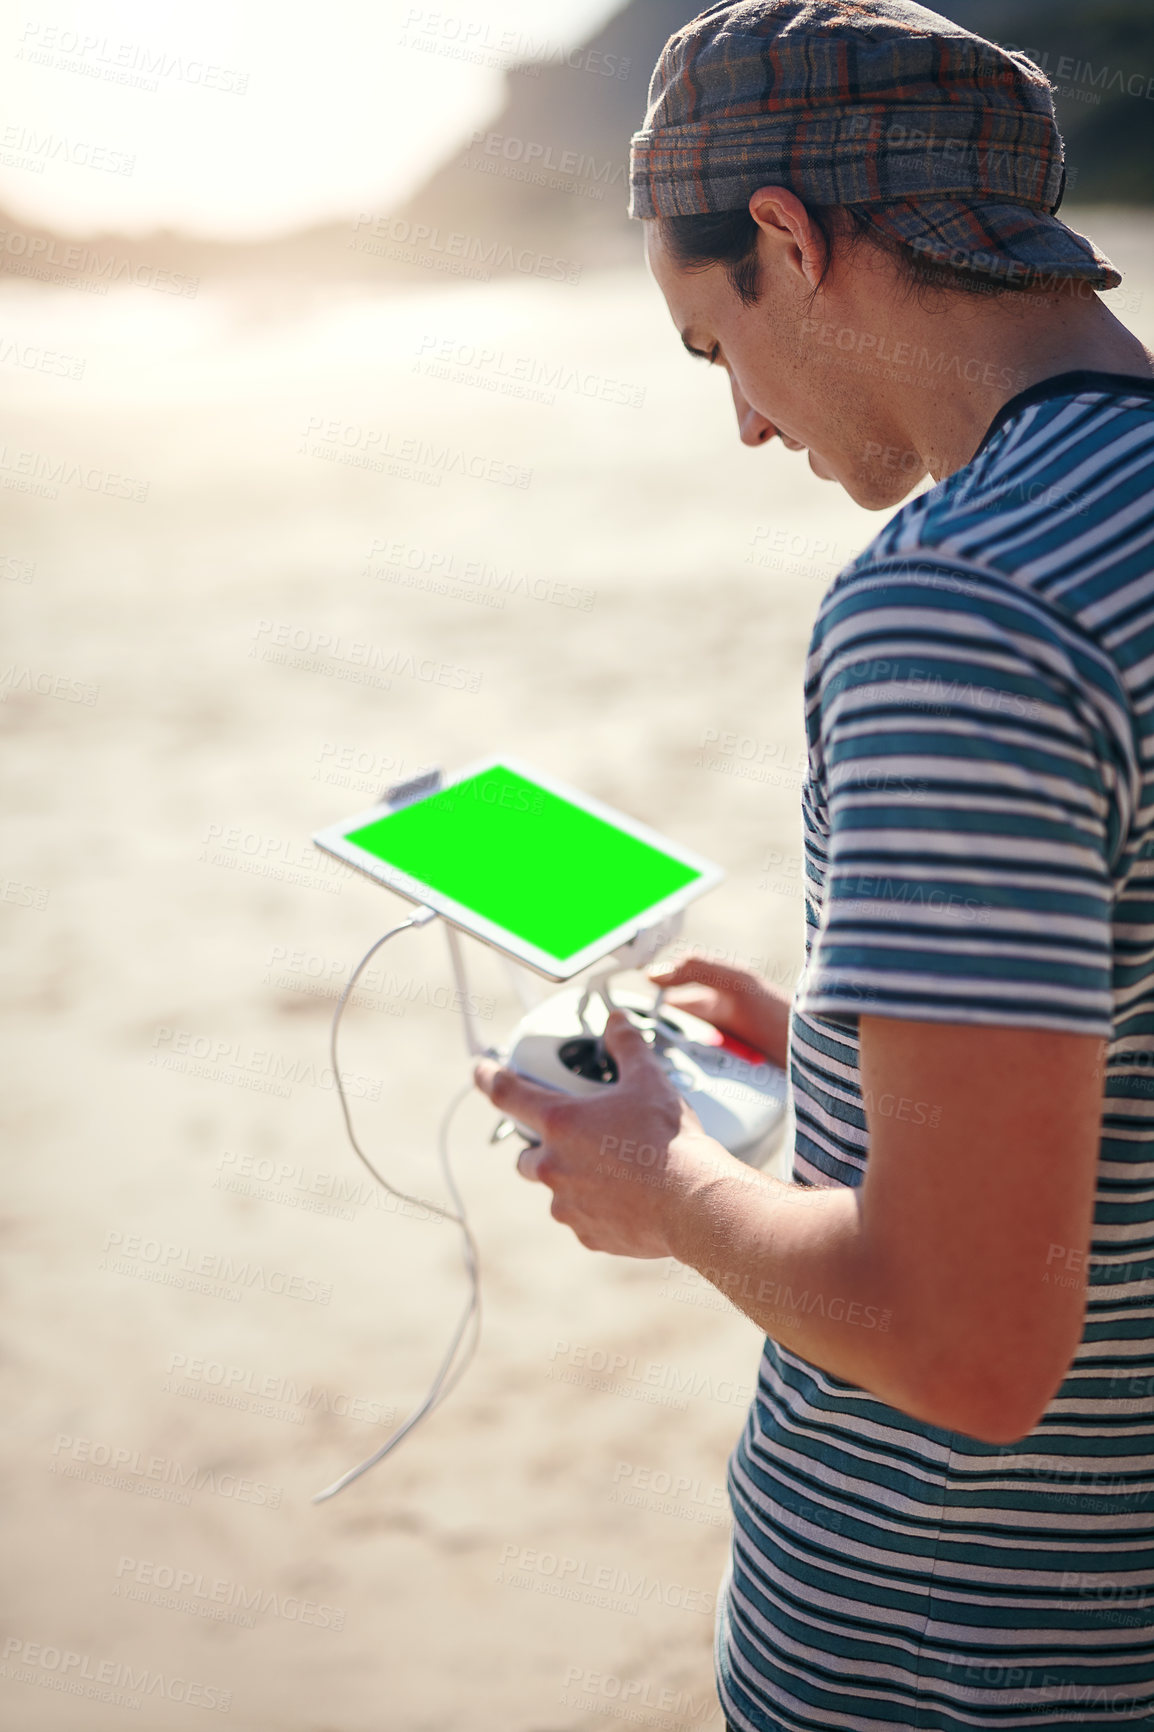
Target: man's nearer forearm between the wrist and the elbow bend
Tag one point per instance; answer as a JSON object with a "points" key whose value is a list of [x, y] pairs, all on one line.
{"points": [[798, 1263]]}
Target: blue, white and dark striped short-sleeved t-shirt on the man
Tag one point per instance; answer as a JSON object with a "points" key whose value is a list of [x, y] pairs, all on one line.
{"points": [[980, 848]]}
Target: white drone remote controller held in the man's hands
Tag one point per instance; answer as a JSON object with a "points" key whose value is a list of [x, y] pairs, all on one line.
{"points": [[736, 1092]]}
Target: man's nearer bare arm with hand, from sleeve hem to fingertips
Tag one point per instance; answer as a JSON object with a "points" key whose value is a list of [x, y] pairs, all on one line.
{"points": [[950, 1284]]}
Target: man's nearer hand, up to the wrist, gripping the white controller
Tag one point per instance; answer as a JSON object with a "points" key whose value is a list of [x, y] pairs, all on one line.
{"points": [[623, 1167]]}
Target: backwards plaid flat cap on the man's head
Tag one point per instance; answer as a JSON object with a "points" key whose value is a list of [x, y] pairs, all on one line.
{"points": [[945, 139]]}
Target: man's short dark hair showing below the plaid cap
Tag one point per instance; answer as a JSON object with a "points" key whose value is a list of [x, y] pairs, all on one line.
{"points": [[730, 240]]}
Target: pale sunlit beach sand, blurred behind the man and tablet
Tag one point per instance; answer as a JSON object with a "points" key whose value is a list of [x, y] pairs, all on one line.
{"points": [[198, 678]]}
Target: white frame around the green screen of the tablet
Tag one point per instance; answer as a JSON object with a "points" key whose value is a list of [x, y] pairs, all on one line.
{"points": [[335, 841]]}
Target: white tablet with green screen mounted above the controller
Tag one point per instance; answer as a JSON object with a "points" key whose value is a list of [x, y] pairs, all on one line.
{"points": [[541, 872]]}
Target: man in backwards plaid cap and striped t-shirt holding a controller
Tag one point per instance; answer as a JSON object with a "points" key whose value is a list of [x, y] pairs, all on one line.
{"points": [[943, 1497]]}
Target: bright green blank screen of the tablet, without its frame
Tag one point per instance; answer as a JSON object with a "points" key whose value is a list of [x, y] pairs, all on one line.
{"points": [[526, 860]]}
